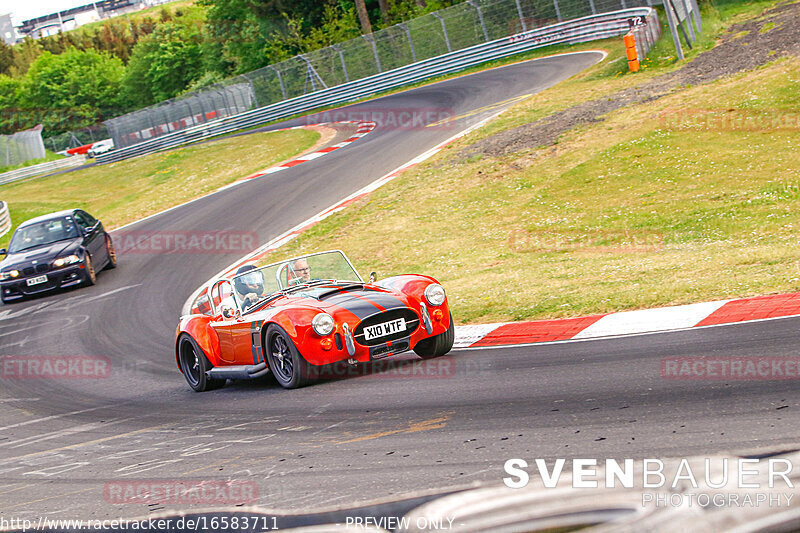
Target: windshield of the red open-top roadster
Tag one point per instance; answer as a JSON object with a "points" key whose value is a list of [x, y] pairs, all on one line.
{"points": [[259, 284]]}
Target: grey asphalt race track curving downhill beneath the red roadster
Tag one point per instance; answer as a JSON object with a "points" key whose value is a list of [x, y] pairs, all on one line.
{"points": [[348, 441]]}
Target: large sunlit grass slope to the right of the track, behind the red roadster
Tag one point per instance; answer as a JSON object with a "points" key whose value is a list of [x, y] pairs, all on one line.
{"points": [[647, 208]]}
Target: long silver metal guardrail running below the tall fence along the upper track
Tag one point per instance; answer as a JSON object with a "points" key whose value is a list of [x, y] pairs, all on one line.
{"points": [[583, 29]]}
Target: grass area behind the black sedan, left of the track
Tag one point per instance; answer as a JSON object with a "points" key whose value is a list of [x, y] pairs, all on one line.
{"points": [[122, 192]]}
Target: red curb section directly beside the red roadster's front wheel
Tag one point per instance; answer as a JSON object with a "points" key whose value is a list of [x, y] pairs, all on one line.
{"points": [[538, 331]]}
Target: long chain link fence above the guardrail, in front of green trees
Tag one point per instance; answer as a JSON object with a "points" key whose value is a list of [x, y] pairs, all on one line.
{"points": [[454, 28]]}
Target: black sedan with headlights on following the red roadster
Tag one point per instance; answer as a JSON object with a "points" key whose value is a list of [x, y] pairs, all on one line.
{"points": [[54, 251]]}
